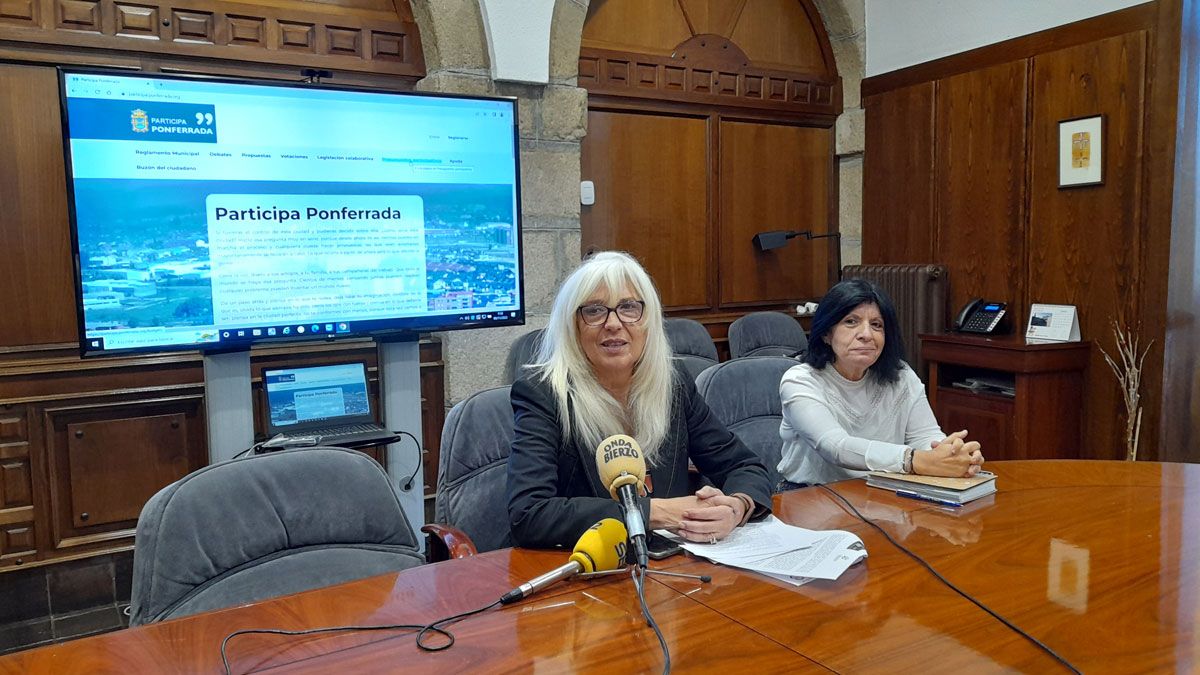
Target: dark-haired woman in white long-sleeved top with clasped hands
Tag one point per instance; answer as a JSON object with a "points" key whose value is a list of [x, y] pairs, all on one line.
{"points": [[854, 405]]}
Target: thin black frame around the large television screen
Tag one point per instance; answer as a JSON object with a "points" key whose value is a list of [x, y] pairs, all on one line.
{"points": [[398, 330]]}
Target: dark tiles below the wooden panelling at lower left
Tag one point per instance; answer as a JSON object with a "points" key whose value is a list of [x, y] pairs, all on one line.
{"points": [[61, 602]]}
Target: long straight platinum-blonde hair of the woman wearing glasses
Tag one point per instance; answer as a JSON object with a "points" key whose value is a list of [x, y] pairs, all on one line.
{"points": [[595, 414]]}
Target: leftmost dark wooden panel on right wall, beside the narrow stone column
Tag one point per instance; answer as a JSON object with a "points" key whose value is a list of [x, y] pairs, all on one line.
{"points": [[898, 177]]}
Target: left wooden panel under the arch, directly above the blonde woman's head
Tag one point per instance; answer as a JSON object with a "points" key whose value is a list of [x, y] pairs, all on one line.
{"points": [[651, 176]]}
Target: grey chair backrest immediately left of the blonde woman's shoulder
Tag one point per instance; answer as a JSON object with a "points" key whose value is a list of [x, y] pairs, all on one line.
{"points": [[473, 469]]}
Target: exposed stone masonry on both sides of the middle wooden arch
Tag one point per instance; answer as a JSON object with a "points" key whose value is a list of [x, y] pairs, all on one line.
{"points": [[554, 122]]}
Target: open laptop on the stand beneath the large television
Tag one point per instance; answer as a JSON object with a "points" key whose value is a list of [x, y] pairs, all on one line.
{"points": [[323, 405]]}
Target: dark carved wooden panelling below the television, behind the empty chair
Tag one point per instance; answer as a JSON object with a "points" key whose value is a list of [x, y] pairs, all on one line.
{"points": [[86, 443]]}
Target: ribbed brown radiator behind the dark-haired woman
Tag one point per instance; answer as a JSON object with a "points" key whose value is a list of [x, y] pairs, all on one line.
{"points": [[919, 292]]}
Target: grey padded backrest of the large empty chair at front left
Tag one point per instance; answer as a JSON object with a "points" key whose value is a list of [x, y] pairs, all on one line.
{"points": [[263, 527]]}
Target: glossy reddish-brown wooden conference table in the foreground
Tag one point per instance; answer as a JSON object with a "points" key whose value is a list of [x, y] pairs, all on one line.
{"points": [[1097, 560]]}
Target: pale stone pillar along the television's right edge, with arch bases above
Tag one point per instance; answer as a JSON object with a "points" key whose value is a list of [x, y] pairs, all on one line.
{"points": [[554, 122]]}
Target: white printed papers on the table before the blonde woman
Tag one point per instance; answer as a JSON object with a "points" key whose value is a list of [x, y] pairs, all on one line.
{"points": [[791, 554]]}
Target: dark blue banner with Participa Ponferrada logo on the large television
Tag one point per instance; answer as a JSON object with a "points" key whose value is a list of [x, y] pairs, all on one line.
{"points": [[142, 121]]}
